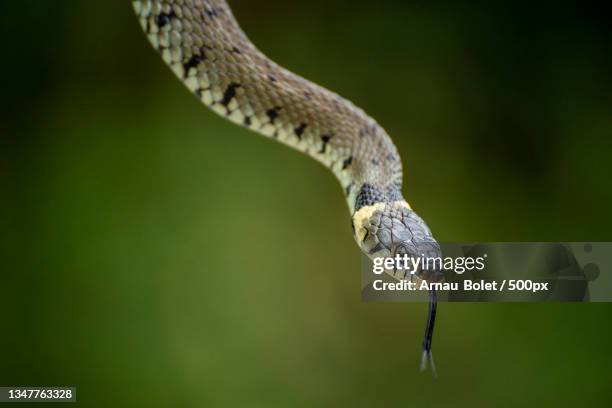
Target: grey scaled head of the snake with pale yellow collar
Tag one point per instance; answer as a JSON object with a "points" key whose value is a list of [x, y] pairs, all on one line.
{"points": [[385, 230]]}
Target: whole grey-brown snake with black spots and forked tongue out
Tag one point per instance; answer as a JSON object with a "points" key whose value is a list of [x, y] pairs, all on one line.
{"points": [[203, 44]]}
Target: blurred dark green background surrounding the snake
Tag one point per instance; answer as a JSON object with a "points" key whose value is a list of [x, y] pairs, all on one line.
{"points": [[156, 255]]}
